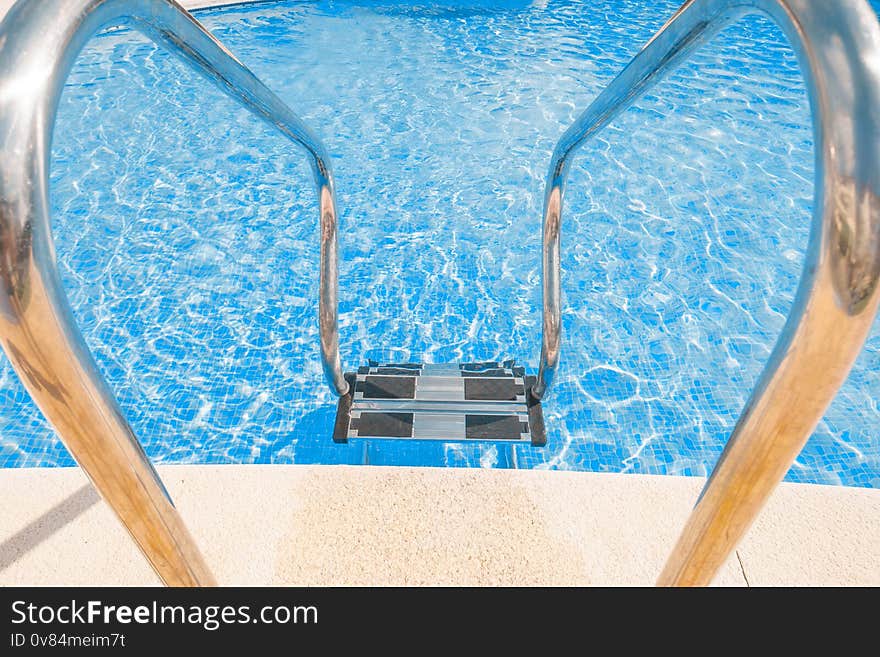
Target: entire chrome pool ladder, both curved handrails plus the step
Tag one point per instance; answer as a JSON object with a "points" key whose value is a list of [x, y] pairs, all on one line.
{"points": [[838, 47]]}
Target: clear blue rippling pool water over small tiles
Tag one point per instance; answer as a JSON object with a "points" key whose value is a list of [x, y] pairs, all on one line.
{"points": [[187, 238]]}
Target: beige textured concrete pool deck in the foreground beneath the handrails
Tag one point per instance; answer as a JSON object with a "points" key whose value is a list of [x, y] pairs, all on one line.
{"points": [[365, 525]]}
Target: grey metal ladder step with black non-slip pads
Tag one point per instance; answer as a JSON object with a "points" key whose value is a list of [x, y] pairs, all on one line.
{"points": [[467, 402]]}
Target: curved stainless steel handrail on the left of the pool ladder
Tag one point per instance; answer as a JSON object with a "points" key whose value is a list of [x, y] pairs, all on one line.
{"points": [[39, 41]]}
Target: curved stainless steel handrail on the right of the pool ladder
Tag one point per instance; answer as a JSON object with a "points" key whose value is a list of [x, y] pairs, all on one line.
{"points": [[838, 48]]}
